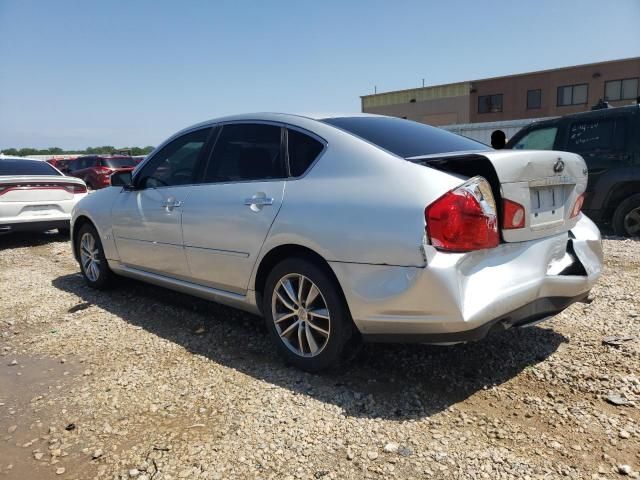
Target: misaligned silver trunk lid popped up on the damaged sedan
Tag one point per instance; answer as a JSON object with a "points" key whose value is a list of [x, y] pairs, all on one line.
{"points": [[546, 184]]}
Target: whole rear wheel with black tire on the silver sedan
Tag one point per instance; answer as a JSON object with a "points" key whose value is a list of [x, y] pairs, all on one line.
{"points": [[338, 323]]}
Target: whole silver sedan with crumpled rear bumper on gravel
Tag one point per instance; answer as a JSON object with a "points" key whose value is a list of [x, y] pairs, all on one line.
{"points": [[348, 227]]}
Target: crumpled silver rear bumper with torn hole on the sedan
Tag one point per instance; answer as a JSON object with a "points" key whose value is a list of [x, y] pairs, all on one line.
{"points": [[462, 297]]}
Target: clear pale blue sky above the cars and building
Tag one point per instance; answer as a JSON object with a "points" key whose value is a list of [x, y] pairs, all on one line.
{"points": [[83, 73]]}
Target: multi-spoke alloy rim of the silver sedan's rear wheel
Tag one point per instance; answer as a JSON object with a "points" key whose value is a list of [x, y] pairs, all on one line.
{"points": [[300, 315]]}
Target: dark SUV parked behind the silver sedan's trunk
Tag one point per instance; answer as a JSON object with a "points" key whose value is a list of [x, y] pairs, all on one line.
{"points": [[609, 141]]}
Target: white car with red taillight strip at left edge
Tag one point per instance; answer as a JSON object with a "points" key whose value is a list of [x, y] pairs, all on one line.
{"points": [[35, 196]]}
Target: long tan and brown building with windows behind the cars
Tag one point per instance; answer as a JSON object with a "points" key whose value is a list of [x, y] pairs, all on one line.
{"points": [[545, 93]]}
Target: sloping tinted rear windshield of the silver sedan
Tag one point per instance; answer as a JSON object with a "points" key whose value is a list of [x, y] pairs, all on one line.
{"points": [[405, 138]]}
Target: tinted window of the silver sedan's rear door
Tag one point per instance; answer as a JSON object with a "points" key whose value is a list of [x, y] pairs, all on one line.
{"points": [[246, 151]]}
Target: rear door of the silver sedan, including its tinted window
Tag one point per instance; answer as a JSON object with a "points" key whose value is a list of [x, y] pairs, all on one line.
{"points": [[226, 218]]}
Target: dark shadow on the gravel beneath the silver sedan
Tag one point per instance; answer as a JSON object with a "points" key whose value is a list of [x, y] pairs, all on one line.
{"points": [[396, 382]]}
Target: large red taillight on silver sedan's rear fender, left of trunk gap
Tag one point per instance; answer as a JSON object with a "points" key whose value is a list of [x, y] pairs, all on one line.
{"points": [[463, 219]]}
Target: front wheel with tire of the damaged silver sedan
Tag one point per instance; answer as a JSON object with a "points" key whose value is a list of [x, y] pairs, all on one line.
{"points": [[93, 263]]}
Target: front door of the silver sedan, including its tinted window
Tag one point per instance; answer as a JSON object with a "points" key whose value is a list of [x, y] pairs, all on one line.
{"points": [[147, 219]]}
